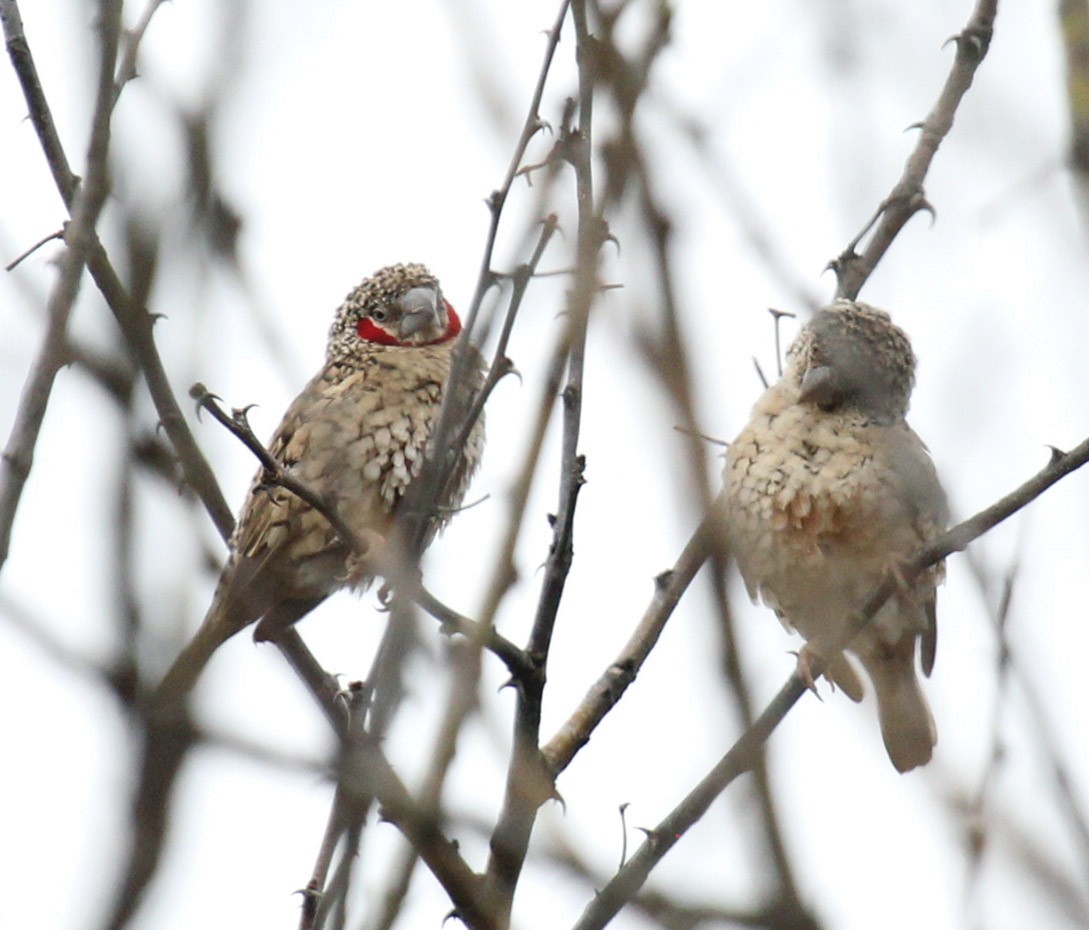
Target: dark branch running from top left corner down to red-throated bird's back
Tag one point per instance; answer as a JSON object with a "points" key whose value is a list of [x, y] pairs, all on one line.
{"points": [[136, 322]]}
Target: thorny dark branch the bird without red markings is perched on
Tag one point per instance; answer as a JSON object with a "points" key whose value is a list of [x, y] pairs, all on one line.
{"points": [[741, 756]]}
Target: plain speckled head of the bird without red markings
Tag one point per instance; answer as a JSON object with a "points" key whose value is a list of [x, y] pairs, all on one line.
{"points": [[852, 357]]}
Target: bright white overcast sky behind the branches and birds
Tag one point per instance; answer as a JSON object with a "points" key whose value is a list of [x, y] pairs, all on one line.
{"points": [[353, 136]]}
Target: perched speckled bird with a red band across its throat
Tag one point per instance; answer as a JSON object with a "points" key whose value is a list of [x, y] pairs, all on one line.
{"points": [[358, 435]]}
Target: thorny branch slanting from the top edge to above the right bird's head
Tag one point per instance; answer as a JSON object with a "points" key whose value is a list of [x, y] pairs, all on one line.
{"points": [[907, 198]]}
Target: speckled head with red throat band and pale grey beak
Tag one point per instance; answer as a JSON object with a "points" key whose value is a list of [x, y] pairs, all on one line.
{"points": [[401, 305]]}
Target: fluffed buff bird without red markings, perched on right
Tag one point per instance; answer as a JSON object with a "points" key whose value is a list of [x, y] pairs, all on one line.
{"points": [[828, 490]]}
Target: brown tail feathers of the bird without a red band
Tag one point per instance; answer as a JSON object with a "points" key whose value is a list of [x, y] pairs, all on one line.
{"points": [[908, 726]]}
